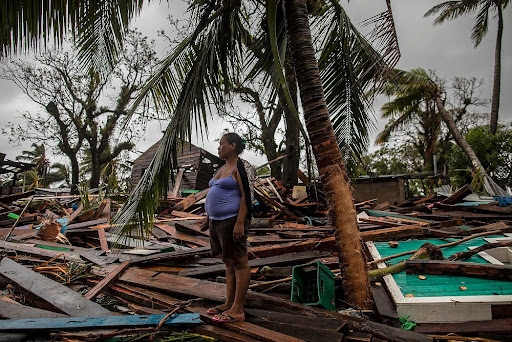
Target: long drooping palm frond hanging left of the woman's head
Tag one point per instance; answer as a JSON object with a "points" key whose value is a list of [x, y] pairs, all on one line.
{"points": [[197, 73]]}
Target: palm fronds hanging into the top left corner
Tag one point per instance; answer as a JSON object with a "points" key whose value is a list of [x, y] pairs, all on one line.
{"points": [[98, 25]]}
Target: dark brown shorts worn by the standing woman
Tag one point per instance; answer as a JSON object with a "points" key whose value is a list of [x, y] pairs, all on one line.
{"points": [[222, 242]]}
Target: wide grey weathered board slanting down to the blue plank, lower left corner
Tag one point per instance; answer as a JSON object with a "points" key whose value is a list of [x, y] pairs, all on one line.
{"points": [[60, 296]]}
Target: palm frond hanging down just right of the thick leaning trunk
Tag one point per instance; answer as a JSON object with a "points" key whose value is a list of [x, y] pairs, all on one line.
{"points": [[349, 66]]}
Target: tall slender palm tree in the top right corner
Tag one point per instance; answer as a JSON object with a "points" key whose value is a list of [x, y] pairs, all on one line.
{"points": [[454, 9]]}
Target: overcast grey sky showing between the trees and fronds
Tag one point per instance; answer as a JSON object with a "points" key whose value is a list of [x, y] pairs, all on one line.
{"points": [[446, 48]]}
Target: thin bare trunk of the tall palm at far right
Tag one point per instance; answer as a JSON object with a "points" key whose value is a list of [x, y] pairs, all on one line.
{"points": [[496, 88]]}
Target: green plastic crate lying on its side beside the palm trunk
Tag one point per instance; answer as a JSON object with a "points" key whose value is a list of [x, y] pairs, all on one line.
{"points": [[313, 284]]}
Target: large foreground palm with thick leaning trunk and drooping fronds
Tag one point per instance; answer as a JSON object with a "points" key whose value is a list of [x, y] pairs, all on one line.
{"points": [[194, 77]]}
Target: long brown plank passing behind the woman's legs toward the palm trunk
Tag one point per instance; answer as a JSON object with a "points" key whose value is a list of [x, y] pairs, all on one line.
{"points": [[284, 259]]}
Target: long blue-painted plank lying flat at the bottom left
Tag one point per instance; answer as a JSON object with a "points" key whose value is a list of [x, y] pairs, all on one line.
{"points": [[117, 322]]}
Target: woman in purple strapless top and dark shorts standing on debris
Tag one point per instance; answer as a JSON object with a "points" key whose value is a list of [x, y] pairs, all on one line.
{"points": [[228, 206]]}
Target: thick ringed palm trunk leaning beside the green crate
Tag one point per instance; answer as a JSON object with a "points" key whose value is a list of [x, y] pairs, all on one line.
{"points": [[328, 157]]}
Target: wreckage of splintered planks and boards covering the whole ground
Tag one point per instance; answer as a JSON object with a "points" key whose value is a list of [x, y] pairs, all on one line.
{"points": [[59, 264]]}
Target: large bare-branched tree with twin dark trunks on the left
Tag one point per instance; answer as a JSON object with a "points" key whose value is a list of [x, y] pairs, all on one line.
{"points": [[80, 117]]}
